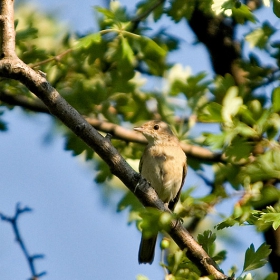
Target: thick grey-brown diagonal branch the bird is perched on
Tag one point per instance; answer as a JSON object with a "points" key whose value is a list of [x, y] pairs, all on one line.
{"points": [[12, 67]]}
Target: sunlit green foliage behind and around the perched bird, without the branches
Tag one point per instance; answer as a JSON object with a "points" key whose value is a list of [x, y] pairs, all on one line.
{"points": [[108, 74]]}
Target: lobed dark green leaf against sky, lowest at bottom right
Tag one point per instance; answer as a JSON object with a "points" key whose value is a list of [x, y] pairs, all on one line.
{"points": [[256, 259]]}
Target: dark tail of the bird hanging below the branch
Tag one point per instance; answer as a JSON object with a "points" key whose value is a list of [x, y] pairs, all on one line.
{"points": [[147, 249]]}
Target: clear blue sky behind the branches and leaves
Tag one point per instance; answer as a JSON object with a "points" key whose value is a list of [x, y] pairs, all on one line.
{"points": [[81, 237]]}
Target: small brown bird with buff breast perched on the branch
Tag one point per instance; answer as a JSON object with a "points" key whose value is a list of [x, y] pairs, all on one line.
{"points": [[164, 165]]}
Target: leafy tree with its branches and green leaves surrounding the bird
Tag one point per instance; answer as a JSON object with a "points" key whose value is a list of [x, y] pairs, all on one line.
{"points": [[121, 76]]}
